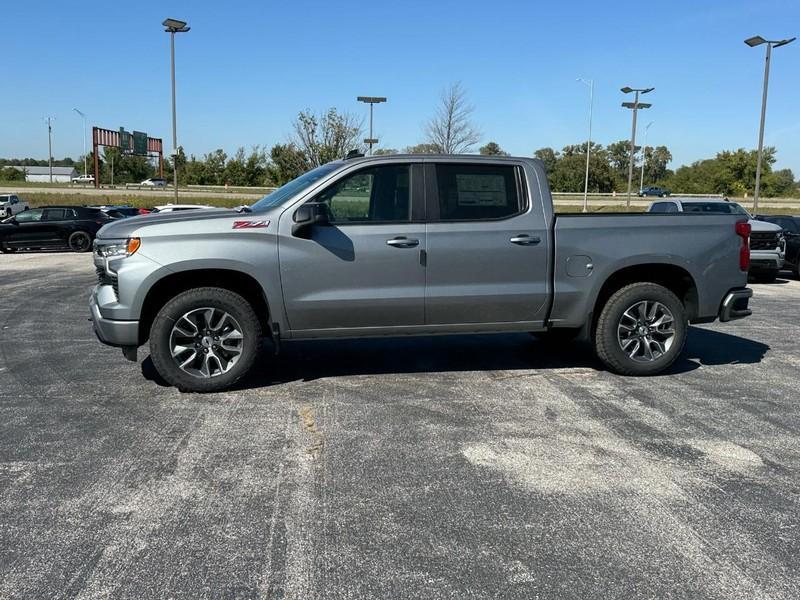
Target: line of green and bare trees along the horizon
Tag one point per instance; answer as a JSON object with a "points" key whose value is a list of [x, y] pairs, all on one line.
{"points": [[318, 138]]}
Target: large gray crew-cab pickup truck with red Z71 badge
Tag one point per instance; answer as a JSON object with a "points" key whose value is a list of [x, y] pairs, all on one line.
{"points": [[401, 245]]}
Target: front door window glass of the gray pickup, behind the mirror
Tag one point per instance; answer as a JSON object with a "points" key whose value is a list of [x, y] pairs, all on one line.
{"points": [[376, 194]]}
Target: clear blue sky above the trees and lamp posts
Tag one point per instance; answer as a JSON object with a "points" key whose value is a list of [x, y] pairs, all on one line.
{"points": [[247, 68]]}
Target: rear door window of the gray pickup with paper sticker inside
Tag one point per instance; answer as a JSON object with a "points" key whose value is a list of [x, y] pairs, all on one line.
{"points": [[477, 192]]}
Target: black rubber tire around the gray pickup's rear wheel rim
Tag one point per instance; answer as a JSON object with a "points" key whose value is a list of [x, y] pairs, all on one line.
{"points": [[609, 348]]}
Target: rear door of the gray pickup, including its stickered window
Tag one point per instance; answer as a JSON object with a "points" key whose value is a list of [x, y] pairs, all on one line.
{"points": [[487, 258]]}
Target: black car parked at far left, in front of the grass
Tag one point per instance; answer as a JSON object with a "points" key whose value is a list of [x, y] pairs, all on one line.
{"points": [[52, 227]]}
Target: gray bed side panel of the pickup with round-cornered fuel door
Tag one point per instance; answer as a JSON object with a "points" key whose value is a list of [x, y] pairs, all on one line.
{"points": [[706, 246]]}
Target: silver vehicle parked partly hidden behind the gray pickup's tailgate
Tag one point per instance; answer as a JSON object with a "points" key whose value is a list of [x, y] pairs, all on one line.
{"points": [[767, 244]]}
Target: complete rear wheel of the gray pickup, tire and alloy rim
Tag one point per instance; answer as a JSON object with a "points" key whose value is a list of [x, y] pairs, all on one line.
{"points": [[641, 330]]}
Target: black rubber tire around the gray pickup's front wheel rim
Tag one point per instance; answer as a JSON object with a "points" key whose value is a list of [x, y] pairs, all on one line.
{"points": [[206, 297]]}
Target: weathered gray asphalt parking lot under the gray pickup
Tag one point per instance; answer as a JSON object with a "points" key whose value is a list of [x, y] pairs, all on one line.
{"points": [[462, 467]]}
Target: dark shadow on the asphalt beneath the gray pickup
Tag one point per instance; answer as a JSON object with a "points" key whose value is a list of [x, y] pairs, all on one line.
{"points": [[307, 361]]}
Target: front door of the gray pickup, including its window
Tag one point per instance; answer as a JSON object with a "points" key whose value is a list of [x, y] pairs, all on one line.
{"points": [[365, 269]]}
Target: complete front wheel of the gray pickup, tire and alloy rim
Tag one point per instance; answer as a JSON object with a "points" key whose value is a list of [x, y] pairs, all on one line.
{"points": [[204, 339]]}
